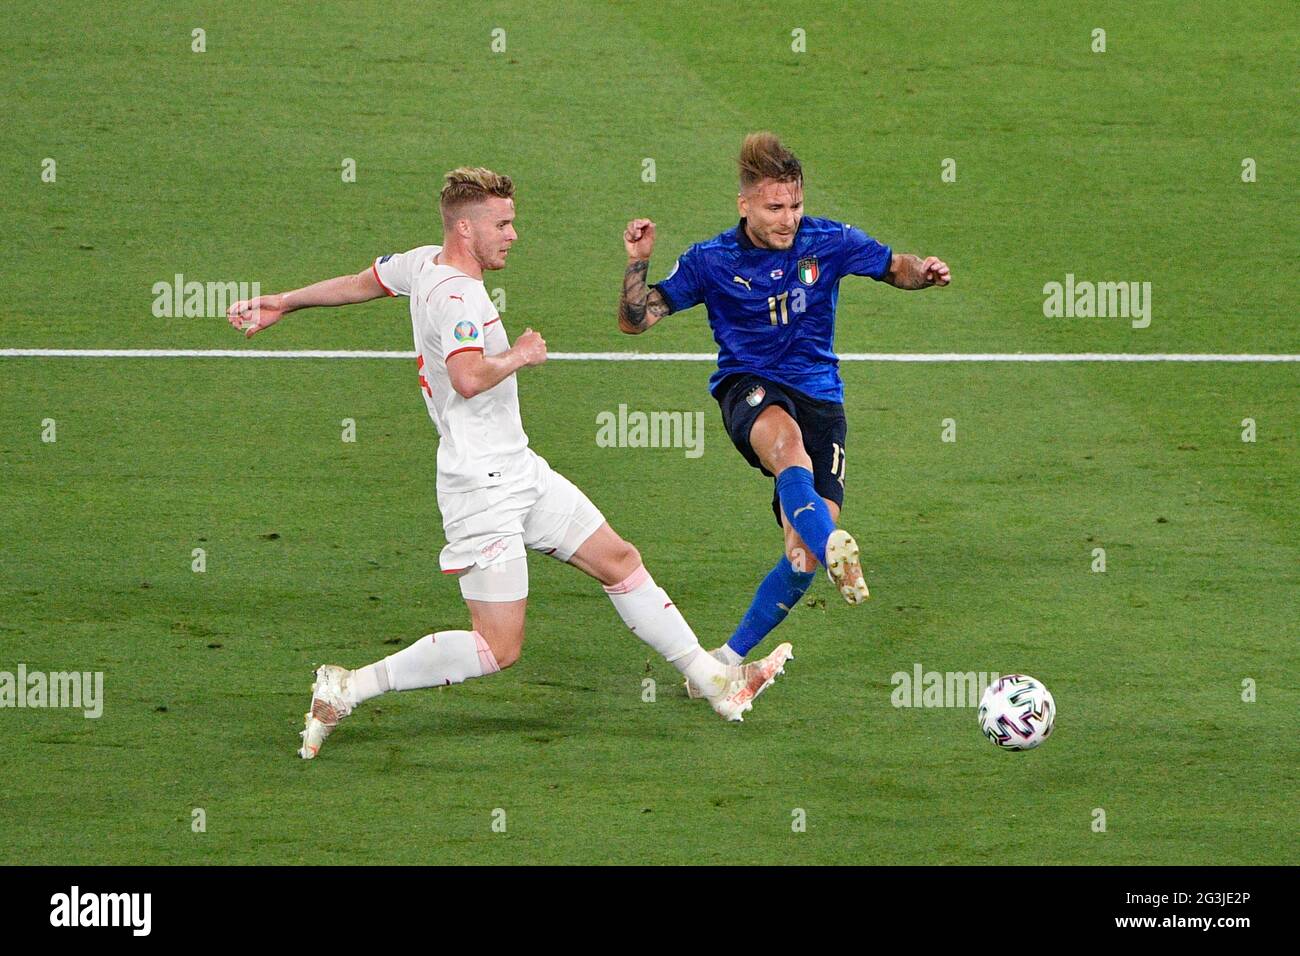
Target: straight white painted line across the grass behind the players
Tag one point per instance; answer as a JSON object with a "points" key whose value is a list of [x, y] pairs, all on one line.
{"points": [[631, 357]]}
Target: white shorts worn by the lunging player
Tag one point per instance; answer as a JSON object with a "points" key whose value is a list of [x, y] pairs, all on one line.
{"points": [[489, 531]]}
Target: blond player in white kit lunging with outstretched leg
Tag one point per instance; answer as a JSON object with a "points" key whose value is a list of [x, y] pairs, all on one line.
{"points": [[497, 496]]}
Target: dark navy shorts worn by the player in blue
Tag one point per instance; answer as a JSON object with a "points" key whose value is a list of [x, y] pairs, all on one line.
{"points": [[744, 397]]}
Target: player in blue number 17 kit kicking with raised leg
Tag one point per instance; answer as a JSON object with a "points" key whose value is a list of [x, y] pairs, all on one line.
{"points": [[772, 285]]}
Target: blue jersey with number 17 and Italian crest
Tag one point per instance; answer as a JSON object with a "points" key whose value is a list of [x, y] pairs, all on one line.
{"points": [[773, 312]]}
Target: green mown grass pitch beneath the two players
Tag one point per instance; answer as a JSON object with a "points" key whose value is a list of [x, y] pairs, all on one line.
{"points": [[226, 166]]}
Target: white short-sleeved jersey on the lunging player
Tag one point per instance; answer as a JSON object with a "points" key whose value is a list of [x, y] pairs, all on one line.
{"points": [[482, 439]]}
